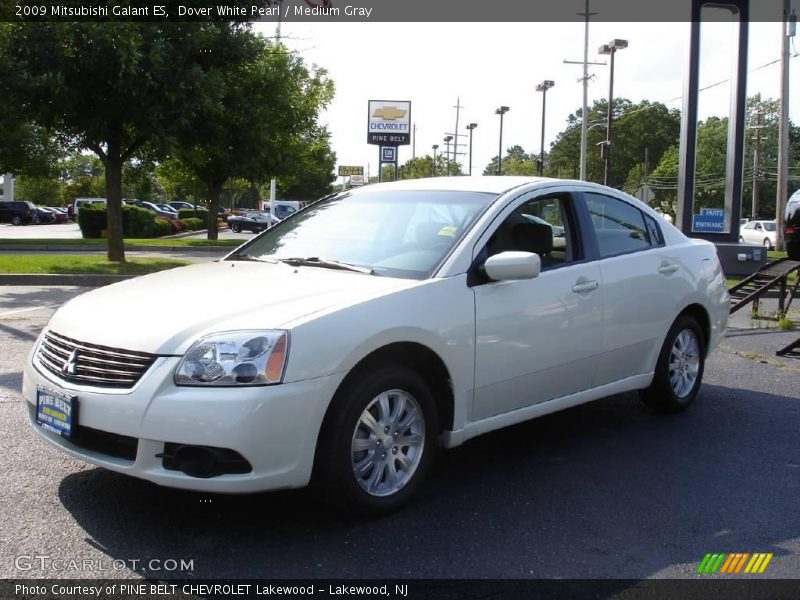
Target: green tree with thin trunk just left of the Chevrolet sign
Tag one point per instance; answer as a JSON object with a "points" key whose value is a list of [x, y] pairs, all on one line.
{"points": [[267, 107]]}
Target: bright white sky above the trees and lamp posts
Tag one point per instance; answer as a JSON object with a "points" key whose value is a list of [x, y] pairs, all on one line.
{"points": [[486, 65]]}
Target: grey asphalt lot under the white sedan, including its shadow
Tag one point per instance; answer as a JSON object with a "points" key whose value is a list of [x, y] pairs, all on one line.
{"points": [[606, 490]]}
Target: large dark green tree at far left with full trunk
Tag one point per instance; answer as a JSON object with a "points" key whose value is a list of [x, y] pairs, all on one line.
{"points": [[118, 86]]}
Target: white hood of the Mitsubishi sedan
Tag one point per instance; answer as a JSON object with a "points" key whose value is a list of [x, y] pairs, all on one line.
{"points": [[164, 313]]}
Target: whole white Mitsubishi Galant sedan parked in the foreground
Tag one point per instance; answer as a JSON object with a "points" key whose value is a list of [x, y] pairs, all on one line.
{"points": [[343, 345]]}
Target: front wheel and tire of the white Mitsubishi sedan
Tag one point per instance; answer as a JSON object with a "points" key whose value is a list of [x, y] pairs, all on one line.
{"points": [[378, 442]]}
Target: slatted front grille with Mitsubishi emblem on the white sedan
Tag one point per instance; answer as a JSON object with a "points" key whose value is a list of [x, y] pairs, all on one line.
{"points": [[90, 364]]}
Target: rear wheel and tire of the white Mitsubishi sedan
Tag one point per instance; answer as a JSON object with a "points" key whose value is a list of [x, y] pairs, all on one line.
{"points": [[679, 370]]}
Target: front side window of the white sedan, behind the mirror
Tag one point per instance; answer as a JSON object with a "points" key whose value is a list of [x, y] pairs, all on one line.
{"points": [[542, 225]]}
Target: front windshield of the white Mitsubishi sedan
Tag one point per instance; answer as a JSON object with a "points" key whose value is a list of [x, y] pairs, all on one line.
{"points": [[393, 233]]}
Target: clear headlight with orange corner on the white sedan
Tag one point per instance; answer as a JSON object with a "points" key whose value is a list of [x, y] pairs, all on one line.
{"points": [[235, 358]]}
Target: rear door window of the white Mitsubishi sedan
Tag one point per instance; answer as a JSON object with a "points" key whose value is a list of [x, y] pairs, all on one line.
{"points": [[620, 228]]}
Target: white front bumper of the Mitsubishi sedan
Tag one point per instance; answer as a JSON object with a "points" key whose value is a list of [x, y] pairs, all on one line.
{"points": [[275, 428]]}
